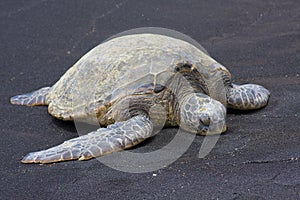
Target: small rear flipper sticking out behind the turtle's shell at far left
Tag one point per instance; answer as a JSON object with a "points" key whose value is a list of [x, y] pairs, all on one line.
{"points": [[35, 98]]}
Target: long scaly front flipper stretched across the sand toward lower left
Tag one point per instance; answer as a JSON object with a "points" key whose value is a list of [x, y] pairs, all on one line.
{"points": [[116, 137]]}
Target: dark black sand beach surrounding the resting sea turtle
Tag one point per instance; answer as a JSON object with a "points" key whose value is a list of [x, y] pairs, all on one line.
{"points": [[258, 41]]}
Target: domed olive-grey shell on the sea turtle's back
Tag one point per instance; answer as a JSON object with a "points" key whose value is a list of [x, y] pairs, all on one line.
{"points": [[124, 65]]}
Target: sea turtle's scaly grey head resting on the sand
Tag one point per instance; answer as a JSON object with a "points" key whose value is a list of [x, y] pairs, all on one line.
{"points": [[202, 115]]}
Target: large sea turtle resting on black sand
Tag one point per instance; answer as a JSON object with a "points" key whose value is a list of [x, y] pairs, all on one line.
{"points": [[119, 81]]}
